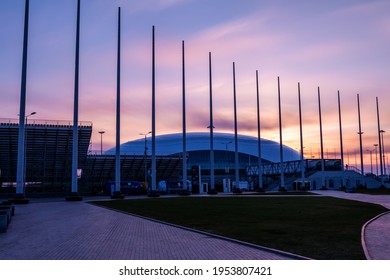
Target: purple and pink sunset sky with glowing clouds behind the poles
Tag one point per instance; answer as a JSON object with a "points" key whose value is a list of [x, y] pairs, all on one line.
{"points": [[336, 45]]}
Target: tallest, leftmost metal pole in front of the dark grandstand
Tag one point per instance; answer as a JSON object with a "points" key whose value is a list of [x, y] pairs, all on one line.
{"points": [[22, 112]]}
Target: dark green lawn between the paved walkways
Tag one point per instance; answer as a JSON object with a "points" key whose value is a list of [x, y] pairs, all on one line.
{"points": [[315, 227]]}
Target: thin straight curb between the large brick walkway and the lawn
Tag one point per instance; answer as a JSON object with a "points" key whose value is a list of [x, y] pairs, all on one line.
{"points": [[247, 244]]}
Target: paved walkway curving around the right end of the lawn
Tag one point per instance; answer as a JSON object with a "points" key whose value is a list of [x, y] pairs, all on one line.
{"points": [[376, 234]]}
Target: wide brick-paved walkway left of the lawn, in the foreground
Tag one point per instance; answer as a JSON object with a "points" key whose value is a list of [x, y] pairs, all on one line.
{"points": [[51, 230]]}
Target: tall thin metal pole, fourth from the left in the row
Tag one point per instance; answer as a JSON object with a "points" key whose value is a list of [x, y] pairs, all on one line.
{"points": [[153, 171]]}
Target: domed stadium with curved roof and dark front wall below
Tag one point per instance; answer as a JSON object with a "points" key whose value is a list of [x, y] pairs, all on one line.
{"points": [[198, 153]]}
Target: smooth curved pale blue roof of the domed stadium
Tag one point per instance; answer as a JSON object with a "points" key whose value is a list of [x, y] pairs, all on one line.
{"points": [[170, 144]]}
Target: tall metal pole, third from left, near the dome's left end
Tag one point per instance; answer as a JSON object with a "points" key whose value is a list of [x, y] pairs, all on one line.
{"points": [[118, 116]]}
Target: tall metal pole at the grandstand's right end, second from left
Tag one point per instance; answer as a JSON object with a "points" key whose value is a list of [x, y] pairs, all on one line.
{"points": [[76, 106]]}
